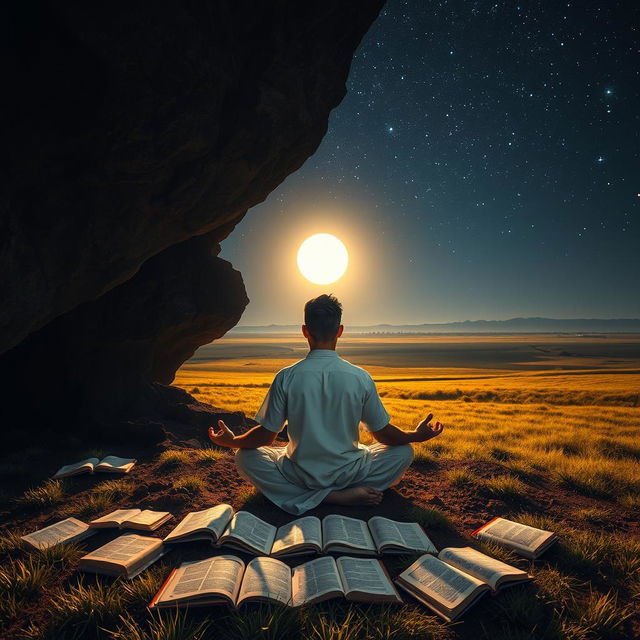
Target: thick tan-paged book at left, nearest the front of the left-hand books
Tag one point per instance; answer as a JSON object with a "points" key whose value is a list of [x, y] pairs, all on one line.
{"points": [[125, 556]]}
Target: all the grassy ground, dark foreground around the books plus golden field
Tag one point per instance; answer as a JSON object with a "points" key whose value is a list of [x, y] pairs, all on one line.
{"points": [[553, 443]]}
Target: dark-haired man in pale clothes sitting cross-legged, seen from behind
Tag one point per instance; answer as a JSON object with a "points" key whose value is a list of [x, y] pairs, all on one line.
{"points": [[323, 398]]}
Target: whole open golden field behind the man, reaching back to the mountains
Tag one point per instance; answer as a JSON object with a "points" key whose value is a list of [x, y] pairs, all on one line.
{"points": [[566, 405]]}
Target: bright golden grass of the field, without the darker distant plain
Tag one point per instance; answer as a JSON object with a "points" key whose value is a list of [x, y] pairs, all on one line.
{"points": [[580, 426]]}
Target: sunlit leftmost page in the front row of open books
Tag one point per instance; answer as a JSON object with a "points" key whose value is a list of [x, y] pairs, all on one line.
{"points": [[221, 574]]}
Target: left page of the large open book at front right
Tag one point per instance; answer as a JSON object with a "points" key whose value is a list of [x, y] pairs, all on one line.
{"points": [[440, 581]]}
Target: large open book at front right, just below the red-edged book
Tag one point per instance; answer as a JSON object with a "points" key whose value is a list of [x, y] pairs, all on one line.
{"points": [[452, 582]]}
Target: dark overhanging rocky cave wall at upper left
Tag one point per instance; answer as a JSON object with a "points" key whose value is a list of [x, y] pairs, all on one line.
{"points": [[139, 135]]}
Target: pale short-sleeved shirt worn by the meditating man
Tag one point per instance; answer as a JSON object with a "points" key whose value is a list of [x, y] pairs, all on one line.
{"points": [[323, 398]]}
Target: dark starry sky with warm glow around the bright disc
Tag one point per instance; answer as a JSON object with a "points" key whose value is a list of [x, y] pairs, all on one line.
{"points": [[485, 164]]}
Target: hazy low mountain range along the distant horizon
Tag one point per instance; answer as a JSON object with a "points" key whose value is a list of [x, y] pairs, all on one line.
{"points": [[514, 325]]}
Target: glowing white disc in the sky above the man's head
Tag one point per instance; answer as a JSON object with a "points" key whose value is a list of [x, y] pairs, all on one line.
{"points": [[322, 258]]}
